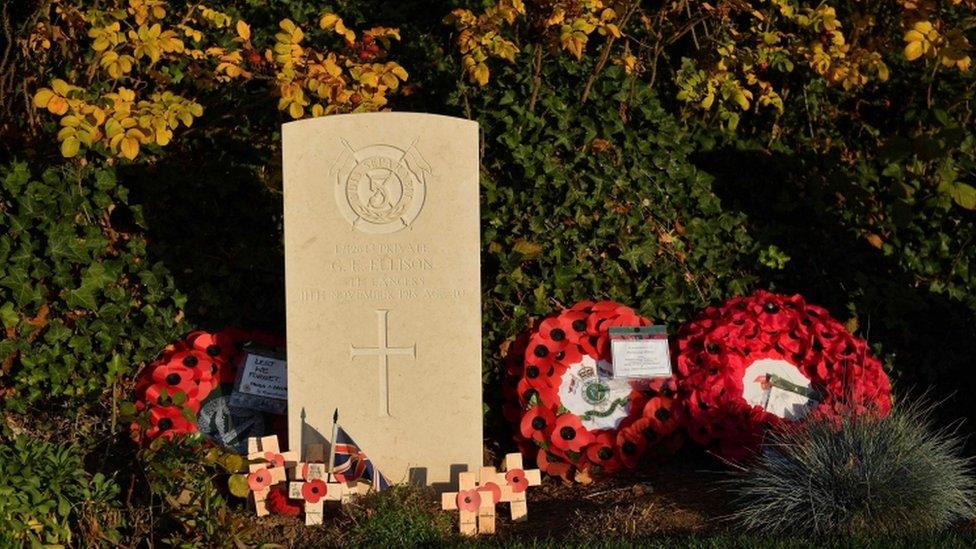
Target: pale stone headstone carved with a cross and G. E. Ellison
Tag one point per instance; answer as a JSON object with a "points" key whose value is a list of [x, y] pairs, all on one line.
{"points": [[382, 261]]}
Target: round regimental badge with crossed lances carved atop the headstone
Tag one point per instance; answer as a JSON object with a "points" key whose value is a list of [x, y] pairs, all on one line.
{"points": [[380, 188]]}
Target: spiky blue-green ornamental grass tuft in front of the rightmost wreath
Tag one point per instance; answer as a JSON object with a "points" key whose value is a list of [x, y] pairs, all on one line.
{"points": [[892, 476]]}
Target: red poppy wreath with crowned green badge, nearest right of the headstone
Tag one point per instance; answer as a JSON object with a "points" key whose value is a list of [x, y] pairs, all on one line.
{"points": [[567, 409]]}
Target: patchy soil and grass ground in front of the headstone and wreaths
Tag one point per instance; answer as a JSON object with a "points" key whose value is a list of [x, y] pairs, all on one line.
{"points": [[682, 504]]}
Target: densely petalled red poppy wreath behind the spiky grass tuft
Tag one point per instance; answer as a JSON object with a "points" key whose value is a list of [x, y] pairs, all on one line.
{"points": [[757, 362]]}
